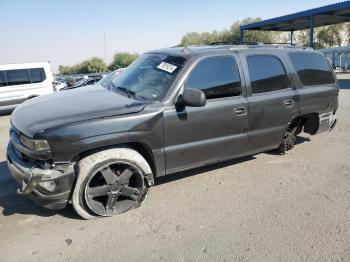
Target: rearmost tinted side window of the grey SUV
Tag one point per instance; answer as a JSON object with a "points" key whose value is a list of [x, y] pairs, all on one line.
{"points": [[312, 68]]}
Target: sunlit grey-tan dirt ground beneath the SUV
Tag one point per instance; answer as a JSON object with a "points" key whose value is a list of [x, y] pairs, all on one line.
{"points": [[261, 208]]}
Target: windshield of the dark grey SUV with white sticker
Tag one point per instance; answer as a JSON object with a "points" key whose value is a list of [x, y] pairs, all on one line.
{"points": [[149, 77]]}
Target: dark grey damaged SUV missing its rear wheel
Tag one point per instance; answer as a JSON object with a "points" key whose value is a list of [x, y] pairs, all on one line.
{"points": [[171, 110]]}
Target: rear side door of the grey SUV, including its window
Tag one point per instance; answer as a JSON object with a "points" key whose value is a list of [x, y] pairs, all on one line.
{"points": [[273, 101]]}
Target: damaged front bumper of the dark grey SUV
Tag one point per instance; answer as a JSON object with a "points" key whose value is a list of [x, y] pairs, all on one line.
{"points": [[47, 187]]}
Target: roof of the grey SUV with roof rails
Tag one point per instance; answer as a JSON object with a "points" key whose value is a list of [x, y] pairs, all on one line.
{"points": [[189, 51]]}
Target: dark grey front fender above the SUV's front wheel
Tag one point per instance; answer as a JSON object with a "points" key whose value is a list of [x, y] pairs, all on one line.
{"points": [[67, 142]]}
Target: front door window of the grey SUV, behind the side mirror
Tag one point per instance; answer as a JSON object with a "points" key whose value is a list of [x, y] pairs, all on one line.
{"points": [[216, 77]]}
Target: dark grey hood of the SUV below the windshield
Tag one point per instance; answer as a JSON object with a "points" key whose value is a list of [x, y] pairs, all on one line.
{"points": [[40, 113]]}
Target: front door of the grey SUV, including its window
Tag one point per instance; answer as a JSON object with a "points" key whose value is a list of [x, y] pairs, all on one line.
{"points": [[195, 136]]}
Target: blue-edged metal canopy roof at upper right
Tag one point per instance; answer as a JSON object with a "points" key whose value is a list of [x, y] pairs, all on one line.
{"points": [[325, 15]]}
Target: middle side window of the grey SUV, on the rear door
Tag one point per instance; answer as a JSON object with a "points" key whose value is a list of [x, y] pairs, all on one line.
{"points": [[266, 74]]}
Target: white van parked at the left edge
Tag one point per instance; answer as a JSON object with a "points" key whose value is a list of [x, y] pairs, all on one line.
{"points": [[19, 82]]}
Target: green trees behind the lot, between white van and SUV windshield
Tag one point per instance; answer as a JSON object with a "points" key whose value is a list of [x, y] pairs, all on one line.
{"points": [[93, 65]]}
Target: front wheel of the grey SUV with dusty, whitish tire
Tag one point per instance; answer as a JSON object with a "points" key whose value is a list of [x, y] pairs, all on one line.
{"points": [[110, 182]]}
